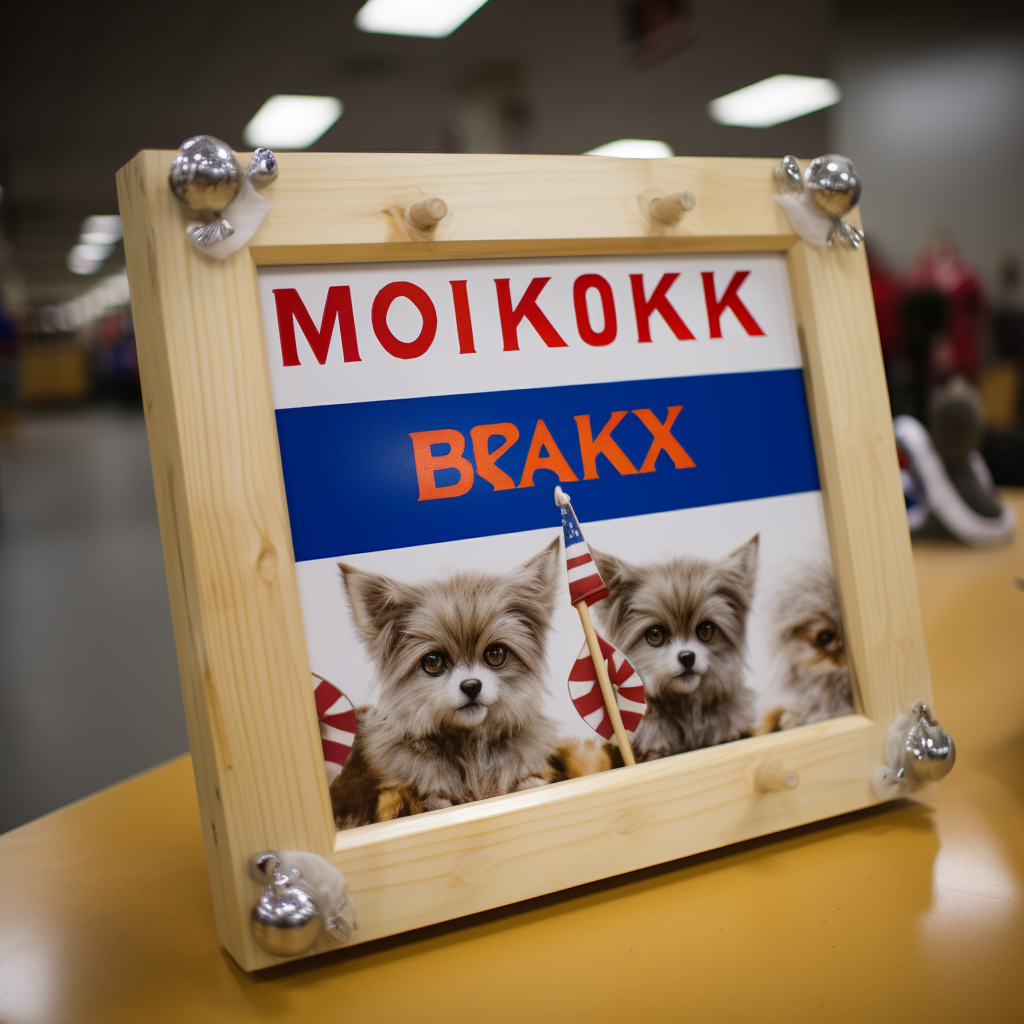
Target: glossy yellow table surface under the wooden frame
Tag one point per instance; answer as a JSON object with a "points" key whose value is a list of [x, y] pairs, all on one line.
{"points": [[909, 912]]}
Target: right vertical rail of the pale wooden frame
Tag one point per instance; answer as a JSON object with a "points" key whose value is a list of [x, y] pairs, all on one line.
{"points": [[865, 506]]}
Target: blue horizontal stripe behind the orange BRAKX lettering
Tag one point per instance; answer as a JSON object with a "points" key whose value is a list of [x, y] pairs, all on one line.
{"points": [[352, 482]]}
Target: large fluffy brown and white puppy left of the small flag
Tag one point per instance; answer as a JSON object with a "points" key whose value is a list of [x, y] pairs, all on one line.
{"points": [[460, 672]]}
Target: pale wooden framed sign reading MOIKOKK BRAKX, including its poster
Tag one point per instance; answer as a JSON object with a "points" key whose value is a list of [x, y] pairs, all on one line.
{"points": [[358, 424]]}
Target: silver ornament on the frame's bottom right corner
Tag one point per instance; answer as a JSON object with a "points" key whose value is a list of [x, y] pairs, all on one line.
{"points": [[919, 751]]}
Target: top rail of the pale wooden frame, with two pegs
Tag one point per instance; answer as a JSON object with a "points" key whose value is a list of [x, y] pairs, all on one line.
{"points": [[363, 198]]}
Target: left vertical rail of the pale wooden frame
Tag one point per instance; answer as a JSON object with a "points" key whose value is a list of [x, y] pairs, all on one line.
{"points": [[235, 605]]}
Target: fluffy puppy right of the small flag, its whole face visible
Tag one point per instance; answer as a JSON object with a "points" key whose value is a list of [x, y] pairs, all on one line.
{"points": [[684, 626]]}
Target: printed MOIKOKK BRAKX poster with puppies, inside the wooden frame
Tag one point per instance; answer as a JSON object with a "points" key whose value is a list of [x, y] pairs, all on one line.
{"points": [[428, 411]]}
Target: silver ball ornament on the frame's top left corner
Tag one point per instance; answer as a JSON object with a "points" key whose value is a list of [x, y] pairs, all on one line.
{"points": [[208, 180]]}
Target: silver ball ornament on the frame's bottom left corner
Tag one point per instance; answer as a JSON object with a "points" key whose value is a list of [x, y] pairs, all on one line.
{"points": [[305, 897]]}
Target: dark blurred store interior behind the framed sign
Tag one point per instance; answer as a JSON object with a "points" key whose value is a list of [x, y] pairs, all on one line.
{"points": [[931, 111]]}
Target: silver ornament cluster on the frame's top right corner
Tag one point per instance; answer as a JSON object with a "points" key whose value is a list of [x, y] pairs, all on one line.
{"points": [[817, 200]]}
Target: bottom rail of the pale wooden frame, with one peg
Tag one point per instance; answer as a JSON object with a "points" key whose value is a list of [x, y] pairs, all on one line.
{"points": [[444, 865]]}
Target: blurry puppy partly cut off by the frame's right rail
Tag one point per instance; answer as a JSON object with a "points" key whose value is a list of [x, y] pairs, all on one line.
{"points": [[807, 630]]}
